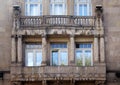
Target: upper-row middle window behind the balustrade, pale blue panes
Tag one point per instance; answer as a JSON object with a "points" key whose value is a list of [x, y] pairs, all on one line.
{"points": [[58, 7]]}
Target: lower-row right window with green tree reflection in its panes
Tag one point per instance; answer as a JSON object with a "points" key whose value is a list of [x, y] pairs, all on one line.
{"points": [[84, 54]]}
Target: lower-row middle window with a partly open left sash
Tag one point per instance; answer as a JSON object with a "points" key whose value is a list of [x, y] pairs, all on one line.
{"points": [[59, 55]]}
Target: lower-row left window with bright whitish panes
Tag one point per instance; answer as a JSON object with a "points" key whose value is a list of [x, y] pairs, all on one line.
{"points": [[33, 55]]}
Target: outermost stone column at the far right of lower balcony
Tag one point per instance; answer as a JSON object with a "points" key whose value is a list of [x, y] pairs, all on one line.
{"points": [[102, 49]]}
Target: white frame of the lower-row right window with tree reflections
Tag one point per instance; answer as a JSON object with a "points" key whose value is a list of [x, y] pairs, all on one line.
{"points": [[83, 54]]}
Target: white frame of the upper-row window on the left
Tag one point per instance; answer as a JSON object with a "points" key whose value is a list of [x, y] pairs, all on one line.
{"points": [[39, 6]]}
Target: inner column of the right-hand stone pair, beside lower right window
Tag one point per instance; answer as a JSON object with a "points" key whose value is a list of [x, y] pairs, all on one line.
{"points": [[96, 50]]}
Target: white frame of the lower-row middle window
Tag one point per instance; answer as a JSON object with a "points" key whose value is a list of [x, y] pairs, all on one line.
{"points": [[59, 50]]}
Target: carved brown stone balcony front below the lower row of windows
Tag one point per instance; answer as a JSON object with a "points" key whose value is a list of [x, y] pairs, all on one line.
{"points": [[59, 73]]}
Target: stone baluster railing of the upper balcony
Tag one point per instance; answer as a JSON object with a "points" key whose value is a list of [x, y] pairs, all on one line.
{"points": [[53, 20]]}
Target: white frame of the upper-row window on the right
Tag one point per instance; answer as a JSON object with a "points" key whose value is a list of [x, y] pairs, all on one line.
{"points": [[77, 3]]}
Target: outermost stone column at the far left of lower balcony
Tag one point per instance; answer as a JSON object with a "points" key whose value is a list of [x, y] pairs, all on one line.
{"points": [[13, 52]]}
